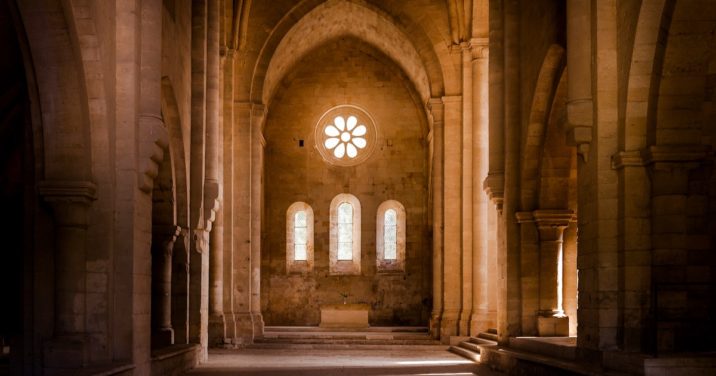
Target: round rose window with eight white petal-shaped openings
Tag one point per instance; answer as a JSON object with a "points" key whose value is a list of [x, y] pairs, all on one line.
{"points": [[345, 135]]}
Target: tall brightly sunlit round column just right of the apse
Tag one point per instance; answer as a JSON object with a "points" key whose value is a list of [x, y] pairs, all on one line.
{"points": [[480, 155]]}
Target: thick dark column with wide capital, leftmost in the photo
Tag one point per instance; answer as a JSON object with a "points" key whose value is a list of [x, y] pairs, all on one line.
{"points": [[70, 202]]}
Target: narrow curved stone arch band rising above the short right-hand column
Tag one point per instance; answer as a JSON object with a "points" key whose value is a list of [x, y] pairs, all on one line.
{"points": [[548, 80]]}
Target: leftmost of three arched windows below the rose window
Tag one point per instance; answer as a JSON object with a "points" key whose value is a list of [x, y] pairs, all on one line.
{"points": [[299, 238]]}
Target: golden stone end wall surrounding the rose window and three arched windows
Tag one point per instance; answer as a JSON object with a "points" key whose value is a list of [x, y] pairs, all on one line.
{"points": [[345, 71]]}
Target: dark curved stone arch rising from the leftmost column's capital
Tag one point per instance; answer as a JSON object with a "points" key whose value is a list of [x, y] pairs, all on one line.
{"points": [[62, 95]]}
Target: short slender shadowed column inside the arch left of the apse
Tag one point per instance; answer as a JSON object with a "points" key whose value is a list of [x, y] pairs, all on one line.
{"points": [[162, 250]]}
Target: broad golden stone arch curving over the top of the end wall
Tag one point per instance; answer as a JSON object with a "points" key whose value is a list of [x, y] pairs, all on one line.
{"points": [[291, 40]]}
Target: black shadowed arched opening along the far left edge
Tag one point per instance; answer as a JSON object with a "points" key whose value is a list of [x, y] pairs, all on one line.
{"points": [[17, 197]]}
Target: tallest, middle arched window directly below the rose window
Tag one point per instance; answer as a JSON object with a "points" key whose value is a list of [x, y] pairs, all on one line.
{"points": [[344, 253]]}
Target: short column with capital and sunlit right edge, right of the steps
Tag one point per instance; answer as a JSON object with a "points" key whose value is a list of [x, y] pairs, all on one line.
{"points": [[551, 224]]}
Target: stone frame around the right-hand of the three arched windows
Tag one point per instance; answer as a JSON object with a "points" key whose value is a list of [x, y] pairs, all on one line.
{"points": [[398, 264]]}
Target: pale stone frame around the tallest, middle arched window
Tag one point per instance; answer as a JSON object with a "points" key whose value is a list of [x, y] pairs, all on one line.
{"points": [[345, 267]]}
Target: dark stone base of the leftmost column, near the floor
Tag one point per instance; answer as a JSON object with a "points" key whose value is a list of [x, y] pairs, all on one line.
{"points": [[66, 351]]}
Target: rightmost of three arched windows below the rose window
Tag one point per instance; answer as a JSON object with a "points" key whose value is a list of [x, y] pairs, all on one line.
{"points": [[390, 237]]}
